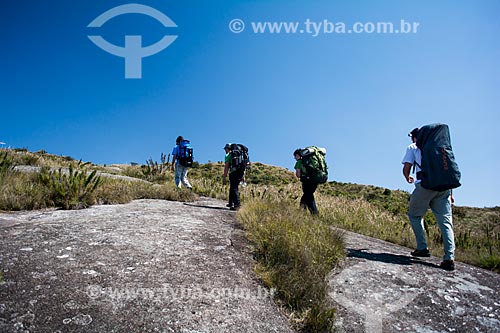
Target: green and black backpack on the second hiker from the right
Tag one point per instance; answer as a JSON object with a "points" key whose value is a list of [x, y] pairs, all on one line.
{"points": [[313, 160]]}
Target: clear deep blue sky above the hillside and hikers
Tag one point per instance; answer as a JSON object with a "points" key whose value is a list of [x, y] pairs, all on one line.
{"points": [[358, 95]]}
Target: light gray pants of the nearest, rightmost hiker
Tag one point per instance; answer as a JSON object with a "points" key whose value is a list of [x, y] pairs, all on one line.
{"points": [[439, 202]]}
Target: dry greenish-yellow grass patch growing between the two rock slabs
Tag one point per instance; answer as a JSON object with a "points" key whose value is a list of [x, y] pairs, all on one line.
{"points": [[295, 253]]}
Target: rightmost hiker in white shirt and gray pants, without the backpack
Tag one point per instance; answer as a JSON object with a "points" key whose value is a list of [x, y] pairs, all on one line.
{"points": [[420, 200]]}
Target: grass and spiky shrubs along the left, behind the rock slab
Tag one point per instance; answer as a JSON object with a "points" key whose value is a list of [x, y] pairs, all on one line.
{"points": [[74, 185]]}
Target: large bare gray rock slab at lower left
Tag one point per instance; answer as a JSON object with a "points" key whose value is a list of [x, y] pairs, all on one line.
{"points": [[146, 266]]}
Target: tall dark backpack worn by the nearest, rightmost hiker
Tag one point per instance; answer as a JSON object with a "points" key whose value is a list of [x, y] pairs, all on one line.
{"points": [[439, 170]]}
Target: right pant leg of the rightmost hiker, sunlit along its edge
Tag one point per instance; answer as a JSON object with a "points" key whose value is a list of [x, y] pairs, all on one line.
{"points": [[441, 207]]}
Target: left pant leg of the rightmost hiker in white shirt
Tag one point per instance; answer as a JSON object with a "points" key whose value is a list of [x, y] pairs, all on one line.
{"points": [[419, 202]]}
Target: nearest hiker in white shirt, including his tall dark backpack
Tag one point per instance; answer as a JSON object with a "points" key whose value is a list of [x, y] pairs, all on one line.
{"points": [[437, 173]]}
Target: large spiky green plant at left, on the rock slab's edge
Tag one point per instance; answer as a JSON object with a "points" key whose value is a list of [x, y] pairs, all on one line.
{"points": [[71, 188]]}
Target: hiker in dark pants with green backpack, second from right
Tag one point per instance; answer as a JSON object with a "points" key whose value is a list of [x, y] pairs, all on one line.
{"points": [[310, 167]]}
